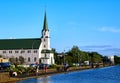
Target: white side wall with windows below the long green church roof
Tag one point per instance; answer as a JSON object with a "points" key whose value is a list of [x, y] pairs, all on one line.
{"points": [[27, 53]]}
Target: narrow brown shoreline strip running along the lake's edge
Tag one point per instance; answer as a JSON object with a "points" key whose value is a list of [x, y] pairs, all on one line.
{"points": [[50, 72]]}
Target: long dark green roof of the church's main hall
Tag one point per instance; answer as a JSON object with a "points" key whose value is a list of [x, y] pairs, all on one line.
{"points": [[9, 44]]}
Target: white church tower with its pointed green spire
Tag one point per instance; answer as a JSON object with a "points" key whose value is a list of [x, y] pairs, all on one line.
{"points": [[46, 53]]}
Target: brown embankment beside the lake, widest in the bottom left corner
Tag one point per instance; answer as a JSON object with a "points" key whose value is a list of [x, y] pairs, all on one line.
{"points": [[4, 77]]}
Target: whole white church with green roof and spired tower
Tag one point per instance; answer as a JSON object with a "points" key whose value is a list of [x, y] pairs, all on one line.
{"points": [[34, 50]]}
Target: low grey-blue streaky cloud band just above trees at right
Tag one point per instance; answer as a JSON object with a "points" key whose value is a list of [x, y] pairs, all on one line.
{"points": [[105, 50]]}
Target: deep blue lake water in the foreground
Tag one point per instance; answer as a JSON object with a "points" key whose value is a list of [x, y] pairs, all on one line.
{"points": [[100, 75]]}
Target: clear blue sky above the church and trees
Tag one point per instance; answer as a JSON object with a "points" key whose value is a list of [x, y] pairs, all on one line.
{"points": [[92, 25]]}
